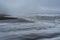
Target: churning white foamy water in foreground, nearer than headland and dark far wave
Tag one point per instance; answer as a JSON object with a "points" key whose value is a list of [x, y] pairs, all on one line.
{"points": [[38, 31]]}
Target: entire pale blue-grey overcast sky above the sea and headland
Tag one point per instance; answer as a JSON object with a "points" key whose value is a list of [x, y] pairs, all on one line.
{"points": [[30, 6]]}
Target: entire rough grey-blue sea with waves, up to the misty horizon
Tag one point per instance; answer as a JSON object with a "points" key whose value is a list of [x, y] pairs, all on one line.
{"points": [[33, 27]]}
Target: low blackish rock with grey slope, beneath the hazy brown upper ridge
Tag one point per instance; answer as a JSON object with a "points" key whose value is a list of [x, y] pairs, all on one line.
{"points": [[14, 20]]}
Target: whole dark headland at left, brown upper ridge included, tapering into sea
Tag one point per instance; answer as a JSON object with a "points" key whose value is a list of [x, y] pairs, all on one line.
{"points": [[7, 18]]}
